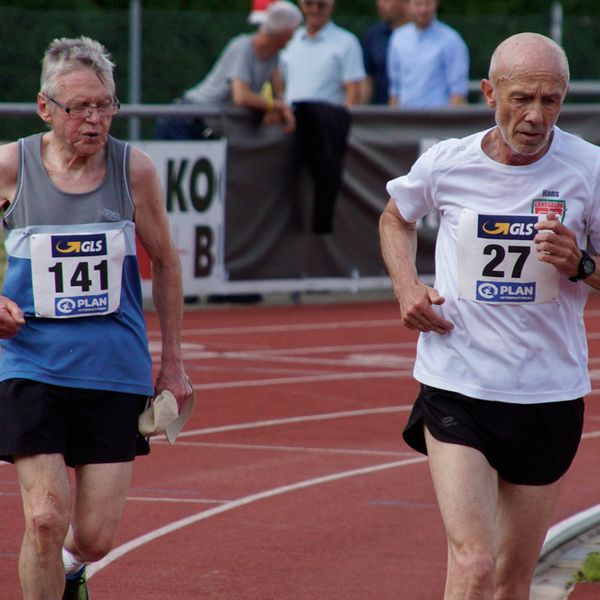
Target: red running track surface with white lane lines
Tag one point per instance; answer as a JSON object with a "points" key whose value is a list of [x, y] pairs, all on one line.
{"points": [[292, 481]]}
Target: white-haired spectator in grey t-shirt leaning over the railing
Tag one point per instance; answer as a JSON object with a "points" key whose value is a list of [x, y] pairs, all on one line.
{"points": [[246, 74]]}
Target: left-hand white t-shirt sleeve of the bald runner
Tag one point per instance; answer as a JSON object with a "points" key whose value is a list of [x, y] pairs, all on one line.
{"points": [[412, 192]]}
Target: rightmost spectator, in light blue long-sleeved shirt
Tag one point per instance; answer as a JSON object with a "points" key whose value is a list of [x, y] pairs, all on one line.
{"points": [[428, 61]]}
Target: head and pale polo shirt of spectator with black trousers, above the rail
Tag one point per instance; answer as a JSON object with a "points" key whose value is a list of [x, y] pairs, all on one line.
{"points": [[323, 62]]}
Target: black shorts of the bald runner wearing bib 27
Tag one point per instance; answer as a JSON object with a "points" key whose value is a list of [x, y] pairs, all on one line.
{"points": [[527, 444]]}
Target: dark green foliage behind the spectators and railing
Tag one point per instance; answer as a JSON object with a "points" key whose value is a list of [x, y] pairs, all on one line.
{"points": [[183, 38]]}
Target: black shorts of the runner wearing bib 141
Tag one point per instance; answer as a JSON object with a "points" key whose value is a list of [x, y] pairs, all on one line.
{"points": [[86, 426]]}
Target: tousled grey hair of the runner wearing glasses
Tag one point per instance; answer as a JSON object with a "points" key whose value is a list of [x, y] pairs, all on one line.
{"points": [[66, 55]]}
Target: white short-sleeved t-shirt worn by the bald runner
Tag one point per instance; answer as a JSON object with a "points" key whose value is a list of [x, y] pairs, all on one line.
{"points": [[505, 347]]}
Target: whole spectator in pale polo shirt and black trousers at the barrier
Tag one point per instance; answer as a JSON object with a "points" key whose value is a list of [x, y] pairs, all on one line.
{"points": [[324, 74]]}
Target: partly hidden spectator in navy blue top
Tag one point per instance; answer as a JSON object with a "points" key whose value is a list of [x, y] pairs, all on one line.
{"points": [[392, 14]]}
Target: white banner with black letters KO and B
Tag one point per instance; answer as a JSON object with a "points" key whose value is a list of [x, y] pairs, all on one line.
{"points": [[193, 178]]}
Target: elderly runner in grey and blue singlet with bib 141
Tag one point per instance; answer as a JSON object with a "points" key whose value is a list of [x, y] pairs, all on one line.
{"points": [[75, 369]]}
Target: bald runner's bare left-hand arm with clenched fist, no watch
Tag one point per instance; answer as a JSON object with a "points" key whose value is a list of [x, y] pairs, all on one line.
{"points": [[399, 248]]}
